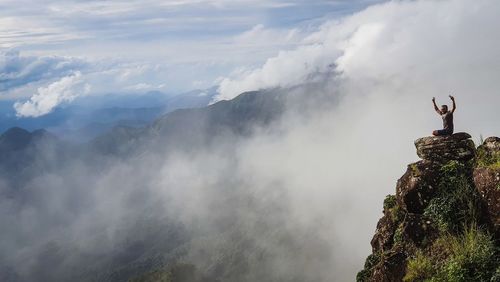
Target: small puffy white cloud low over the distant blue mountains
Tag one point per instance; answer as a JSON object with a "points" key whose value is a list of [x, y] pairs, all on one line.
{"points": [[62, 91]]}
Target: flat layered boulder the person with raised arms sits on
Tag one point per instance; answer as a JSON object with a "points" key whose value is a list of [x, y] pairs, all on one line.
{"points": [[458, 147]]}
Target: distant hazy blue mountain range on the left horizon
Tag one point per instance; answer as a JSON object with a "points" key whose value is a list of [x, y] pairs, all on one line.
{"points": [[90, 116]]}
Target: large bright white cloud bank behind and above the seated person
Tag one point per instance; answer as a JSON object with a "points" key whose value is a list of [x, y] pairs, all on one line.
{"points": [[388, 43]]}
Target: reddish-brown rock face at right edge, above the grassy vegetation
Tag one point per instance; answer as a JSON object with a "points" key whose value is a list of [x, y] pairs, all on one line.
{"points": [[487, 181]]}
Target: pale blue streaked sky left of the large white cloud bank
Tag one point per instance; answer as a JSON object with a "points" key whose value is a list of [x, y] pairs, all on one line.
{"points": [[139, 46]]}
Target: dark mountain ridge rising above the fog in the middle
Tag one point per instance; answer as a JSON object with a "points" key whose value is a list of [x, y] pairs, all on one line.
{"points": [[195, 127]]}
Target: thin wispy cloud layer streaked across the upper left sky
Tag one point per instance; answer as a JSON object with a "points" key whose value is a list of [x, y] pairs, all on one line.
{"points": [[197, 40]]}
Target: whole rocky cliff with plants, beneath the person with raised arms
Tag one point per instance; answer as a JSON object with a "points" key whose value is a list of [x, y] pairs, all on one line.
{"points": [[443, 223]]}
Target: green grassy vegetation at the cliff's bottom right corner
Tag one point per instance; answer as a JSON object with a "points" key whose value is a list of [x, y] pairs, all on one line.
{"points": [[470, 256]]}
